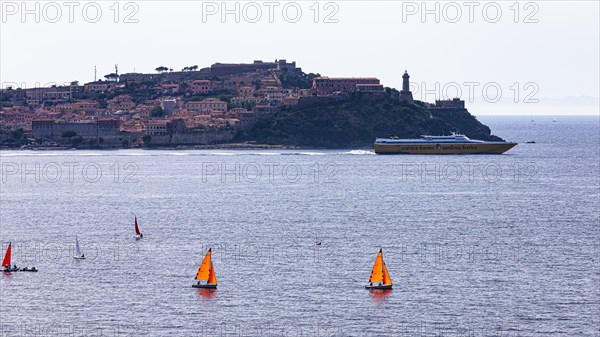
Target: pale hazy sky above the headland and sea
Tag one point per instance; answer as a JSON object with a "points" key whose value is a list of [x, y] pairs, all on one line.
{"points": [[552, 51]]}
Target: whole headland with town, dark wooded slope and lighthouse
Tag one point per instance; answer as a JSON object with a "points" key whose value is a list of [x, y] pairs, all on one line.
{"points": [[225, 106]]}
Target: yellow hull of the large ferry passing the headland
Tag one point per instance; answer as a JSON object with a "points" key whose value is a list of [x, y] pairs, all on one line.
{"points": [[466, 148]]}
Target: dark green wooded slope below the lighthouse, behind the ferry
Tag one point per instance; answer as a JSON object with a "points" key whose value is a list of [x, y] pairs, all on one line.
{"points": [[358, 120]]}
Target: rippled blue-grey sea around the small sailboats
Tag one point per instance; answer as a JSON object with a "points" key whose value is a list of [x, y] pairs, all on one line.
{"points": [[503, 245]]}
